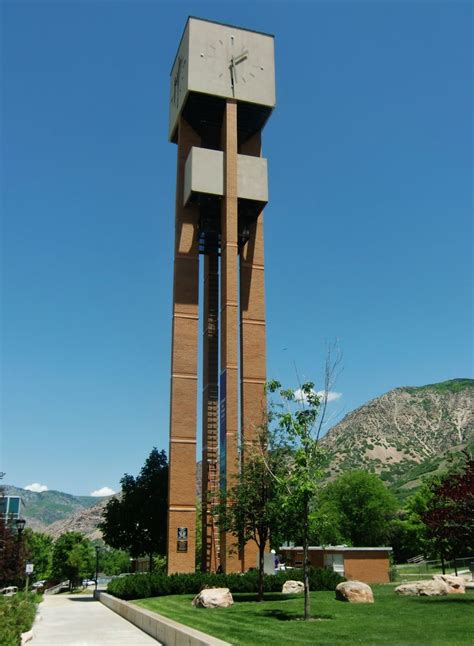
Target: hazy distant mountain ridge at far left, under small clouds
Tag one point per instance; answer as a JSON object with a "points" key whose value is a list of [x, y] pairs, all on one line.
{"points": [[42, 509]]}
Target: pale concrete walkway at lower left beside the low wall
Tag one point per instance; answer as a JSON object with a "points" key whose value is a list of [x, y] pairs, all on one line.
{"points": [[80, 620]]}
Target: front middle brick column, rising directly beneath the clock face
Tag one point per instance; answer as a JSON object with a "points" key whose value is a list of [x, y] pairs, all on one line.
{"points": [[229, 324]]}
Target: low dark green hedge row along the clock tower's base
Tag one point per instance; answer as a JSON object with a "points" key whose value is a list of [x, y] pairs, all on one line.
{"points": [[140, 586]]}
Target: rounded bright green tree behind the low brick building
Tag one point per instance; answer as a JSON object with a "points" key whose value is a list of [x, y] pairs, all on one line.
{"points": [[362, 508]]}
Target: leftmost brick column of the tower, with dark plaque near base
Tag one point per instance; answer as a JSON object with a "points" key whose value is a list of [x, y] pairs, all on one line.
{"points": [[182, 472]]}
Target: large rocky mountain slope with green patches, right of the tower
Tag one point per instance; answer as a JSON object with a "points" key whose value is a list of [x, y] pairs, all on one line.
{"points": [[405, 433]]}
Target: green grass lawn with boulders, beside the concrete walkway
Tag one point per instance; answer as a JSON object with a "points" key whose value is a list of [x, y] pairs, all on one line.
{"points": [[390, 620]]}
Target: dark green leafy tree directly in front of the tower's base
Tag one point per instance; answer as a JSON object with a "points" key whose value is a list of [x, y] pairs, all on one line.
{"points": [[252, 509]]}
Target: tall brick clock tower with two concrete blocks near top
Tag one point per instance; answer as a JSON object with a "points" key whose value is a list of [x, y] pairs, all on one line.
{"points": [[222, 92]]}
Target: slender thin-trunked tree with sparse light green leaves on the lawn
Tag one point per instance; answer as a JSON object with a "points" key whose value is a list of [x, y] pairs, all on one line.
{"points": [[295, 424]]}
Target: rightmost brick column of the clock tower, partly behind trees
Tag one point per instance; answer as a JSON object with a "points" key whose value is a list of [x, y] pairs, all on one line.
{"points": [[252, 331]]}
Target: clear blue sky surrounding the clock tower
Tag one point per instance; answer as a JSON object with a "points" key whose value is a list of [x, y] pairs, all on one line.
{"points": [[368, 229]]}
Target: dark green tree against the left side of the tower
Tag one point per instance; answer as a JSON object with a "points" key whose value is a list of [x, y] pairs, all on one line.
{"points": [[136, 521]]}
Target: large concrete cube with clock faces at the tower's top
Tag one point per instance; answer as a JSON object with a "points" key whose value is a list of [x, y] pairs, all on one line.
{"points": [[224, 62]]}
